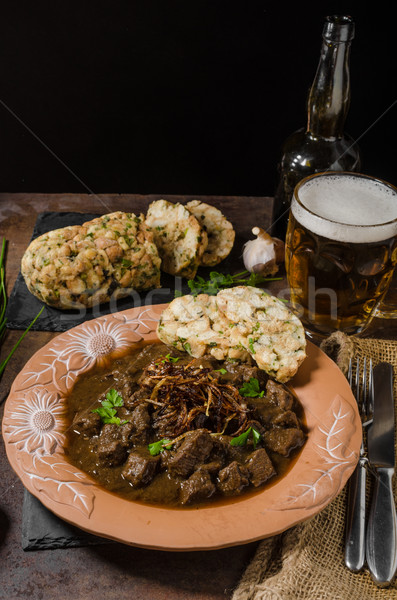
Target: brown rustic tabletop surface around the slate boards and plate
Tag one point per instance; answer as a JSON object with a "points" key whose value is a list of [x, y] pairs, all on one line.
{"points": [[110, 571]]}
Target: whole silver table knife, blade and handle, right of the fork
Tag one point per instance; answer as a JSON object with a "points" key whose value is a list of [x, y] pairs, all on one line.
{"points": [[381, 539]]}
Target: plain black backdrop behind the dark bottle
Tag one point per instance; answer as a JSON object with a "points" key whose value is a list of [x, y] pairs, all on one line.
{"points": [[168, 96]]}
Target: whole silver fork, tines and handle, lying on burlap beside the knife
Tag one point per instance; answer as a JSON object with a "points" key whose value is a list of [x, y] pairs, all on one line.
{"points": [[362, 388]]}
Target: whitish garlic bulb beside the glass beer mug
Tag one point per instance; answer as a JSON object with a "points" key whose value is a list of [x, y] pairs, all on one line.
{"points": [[262, 254]]}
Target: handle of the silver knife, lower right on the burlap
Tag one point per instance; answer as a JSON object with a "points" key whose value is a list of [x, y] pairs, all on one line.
{"points": [[381, 544]]}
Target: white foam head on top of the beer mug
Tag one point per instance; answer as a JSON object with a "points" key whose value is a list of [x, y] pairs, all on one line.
{"points": [[347, 208]]}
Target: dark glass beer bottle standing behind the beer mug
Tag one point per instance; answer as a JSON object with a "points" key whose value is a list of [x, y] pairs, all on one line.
{"points": [[323, 145]]}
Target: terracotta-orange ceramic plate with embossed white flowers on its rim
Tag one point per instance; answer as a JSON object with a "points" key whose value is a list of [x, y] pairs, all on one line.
{"points": [[34, 429]]}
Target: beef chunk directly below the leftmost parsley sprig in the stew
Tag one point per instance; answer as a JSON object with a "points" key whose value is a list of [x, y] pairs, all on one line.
{"points": [[113, 444]]}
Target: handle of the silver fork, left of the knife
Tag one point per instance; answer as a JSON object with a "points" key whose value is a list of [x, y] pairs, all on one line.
{"points": [[355, 519]]}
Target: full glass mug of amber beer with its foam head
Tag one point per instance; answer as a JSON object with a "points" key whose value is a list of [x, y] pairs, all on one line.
{"points": [[341, 250]]}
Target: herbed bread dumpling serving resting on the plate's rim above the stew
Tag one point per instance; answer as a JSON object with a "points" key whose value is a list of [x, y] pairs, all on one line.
{"points": [[241, 323]]}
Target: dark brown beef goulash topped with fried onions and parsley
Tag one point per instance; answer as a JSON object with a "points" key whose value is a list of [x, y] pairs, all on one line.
{"points": [[162, 427]]}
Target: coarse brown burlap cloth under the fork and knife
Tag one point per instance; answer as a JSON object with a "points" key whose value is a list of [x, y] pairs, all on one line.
{"points": [[307, 561]]}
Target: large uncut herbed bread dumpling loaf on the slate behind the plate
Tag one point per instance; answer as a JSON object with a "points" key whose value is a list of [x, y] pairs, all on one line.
{"points": [[82, 266]]}
